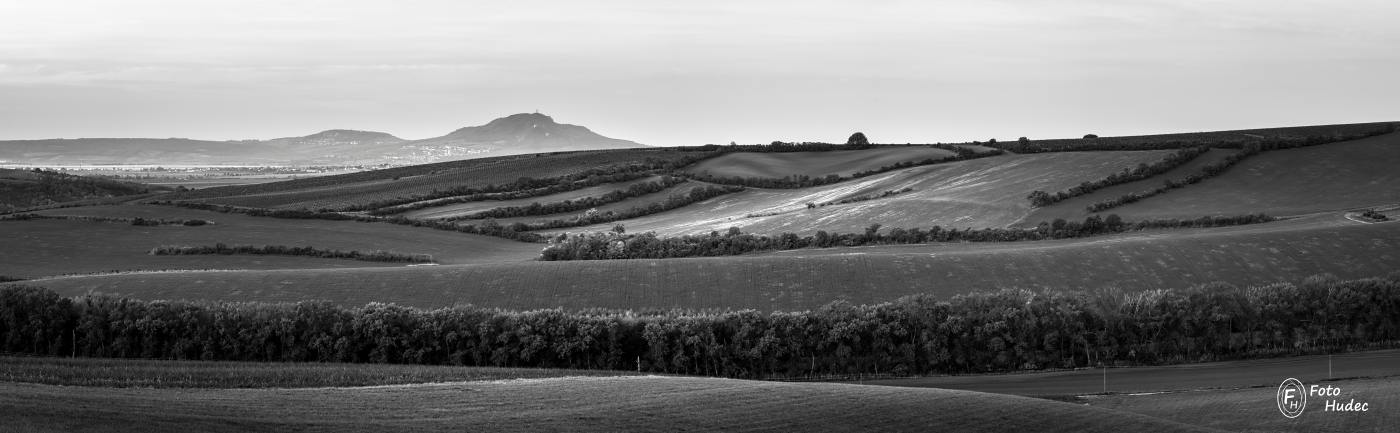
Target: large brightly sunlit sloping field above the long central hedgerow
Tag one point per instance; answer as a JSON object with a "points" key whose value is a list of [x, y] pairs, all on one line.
{"points": [[983, 193]]}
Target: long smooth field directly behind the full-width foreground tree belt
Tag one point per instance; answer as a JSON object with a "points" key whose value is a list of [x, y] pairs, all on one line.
{"points": [[803, 280]]}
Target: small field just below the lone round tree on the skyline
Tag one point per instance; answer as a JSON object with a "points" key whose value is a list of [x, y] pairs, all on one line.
{"points": [[811, 163]]}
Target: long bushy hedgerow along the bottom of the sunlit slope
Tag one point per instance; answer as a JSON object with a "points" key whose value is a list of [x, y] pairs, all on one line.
{"points": [[647, 246]]}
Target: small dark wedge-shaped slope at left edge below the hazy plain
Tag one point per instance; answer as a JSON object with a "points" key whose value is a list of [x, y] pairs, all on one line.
{"points": [[29, 188]]}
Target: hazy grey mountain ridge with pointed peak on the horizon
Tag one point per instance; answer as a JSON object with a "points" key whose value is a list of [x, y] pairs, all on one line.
{"points": [[519, 134]]}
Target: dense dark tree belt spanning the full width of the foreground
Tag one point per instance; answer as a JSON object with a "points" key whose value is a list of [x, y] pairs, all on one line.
{"points": [[993, 331]]}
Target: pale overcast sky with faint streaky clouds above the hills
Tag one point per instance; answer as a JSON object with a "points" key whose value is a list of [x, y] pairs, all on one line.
{"points": [[680, 74]]}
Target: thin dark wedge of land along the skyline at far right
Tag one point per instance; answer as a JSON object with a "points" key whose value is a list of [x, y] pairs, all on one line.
{"points": [[1230, 139]]}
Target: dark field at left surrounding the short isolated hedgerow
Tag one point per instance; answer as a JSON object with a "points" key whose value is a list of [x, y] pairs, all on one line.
{"points": [[57, 247]]}
